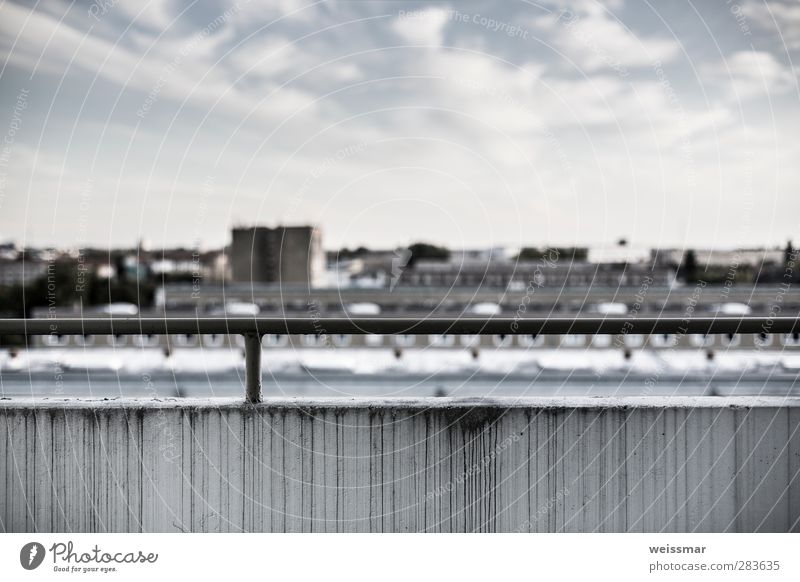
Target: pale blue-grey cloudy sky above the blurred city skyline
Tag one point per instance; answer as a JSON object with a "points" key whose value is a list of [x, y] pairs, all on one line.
{"points": [[466, 123]]}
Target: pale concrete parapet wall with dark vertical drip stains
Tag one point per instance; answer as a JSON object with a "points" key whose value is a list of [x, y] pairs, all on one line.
{"points": [[705, 464]]}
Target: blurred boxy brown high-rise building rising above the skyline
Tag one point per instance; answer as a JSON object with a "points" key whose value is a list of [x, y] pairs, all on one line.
{"points": [[286, 255]]}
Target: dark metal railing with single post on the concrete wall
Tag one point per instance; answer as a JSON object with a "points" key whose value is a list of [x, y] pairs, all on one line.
{"points": [[253, 328]]}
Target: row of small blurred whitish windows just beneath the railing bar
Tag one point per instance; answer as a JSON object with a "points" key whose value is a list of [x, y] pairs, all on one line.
{"points": [[342, 340]]}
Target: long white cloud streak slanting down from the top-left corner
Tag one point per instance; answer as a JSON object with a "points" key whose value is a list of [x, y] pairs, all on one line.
{"points": [[177, 69]]}
